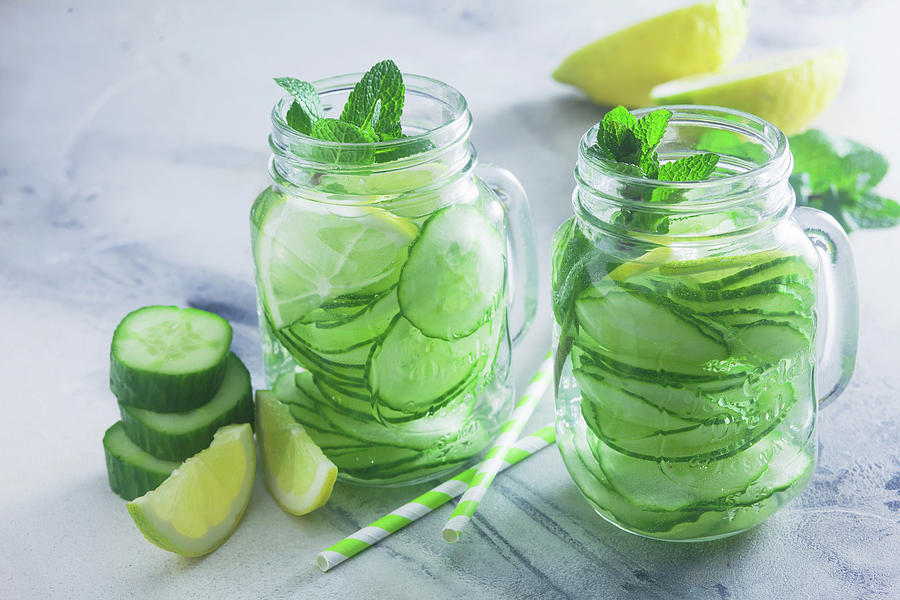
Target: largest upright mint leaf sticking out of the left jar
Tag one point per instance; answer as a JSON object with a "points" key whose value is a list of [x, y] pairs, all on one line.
{"points": [[376, 102]]}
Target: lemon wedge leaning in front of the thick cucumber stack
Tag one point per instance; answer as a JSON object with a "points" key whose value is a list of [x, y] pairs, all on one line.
{"points": [[198, 507]]}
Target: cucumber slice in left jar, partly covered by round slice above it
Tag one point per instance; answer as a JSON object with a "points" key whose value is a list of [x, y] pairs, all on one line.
{"points": [[412, 373]]}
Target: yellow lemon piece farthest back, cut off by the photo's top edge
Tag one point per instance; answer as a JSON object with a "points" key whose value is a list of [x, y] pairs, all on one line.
{"points": [[622, 68]]}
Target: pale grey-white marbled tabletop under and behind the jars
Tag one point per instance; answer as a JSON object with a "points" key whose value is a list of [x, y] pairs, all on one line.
{"points": [[132, 142]]}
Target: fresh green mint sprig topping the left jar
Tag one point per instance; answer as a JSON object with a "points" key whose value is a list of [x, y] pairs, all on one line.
{"points": [[371, 114]]}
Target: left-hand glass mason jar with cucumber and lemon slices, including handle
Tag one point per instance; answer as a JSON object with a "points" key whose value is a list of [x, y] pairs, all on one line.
{"points": [[383, 287]]}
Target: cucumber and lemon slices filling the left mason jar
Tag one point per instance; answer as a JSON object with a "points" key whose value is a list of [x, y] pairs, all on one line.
{"points": [[396, 326]]}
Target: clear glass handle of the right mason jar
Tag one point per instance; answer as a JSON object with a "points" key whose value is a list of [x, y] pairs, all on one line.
{"points": [[838, 341]]}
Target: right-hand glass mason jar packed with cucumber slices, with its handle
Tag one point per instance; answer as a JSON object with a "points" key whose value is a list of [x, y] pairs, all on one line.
{"points": [[691, 336]]}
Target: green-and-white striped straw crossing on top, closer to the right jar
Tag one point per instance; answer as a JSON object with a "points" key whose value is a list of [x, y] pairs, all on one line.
{"points": [[496, 456]]}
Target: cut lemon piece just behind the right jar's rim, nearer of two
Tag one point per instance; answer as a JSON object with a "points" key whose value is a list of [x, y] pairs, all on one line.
{"points": [[788, 90]]}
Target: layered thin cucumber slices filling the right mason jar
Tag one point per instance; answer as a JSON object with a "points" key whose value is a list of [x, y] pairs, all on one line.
{"points": [[695, 379]]}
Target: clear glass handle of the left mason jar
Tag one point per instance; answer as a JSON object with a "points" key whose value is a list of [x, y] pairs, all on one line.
{"points": [[520, 244]]}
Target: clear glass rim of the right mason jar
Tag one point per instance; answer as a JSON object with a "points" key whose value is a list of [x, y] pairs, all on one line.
{"points": [[777, 166]]}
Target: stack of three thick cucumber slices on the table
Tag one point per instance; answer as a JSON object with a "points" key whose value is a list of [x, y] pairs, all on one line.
{"points": [[177, 384]]}
